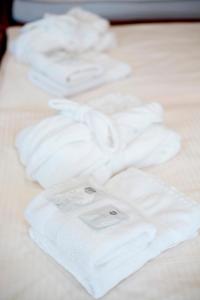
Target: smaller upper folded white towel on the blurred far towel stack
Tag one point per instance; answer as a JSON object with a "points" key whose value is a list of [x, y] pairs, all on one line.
{"points": [[65, 68]]}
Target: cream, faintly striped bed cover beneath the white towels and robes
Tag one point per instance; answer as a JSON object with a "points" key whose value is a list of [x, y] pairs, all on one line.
{"points": [[166, 68]]}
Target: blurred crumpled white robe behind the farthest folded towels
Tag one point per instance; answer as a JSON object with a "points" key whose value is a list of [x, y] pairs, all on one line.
{"points": [[76, 31]]}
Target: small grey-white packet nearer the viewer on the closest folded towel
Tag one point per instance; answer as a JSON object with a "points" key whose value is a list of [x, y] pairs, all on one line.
{"points": [[103, 217]]}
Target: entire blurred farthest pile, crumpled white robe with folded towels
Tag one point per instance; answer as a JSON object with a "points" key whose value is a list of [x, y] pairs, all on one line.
{"points": [[64, 52]]}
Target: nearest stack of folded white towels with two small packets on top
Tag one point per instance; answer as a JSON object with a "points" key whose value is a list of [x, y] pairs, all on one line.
{"points": [[102, 237]]}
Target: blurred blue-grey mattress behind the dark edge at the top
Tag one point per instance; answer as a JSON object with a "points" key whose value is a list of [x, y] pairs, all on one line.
{"points": [[29, 10]]}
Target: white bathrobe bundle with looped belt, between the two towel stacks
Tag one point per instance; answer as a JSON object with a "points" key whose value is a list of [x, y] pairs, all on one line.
{"points": [[82, 140]]}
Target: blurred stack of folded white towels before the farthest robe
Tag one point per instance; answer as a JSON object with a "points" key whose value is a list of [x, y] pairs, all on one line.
{"points": [[63, 74]]}
